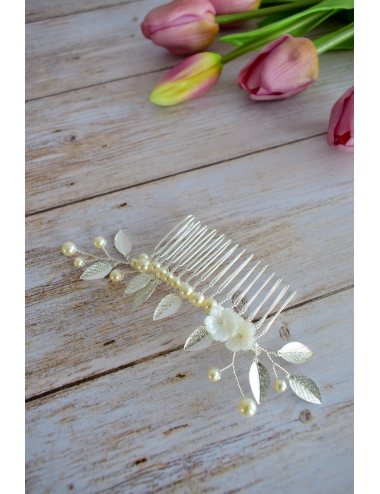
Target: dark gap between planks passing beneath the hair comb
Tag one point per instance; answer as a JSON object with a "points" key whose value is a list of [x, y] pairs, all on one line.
{"points": [[166, 352]]}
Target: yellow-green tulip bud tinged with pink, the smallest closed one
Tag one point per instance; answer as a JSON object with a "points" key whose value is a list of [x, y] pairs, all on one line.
{"points": [[189, 79]]}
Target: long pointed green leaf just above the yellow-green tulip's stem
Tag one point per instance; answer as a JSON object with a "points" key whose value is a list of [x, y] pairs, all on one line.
{"points": [[288, 22]]}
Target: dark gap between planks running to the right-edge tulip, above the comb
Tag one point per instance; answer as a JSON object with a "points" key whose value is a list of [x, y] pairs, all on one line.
{"points": [[183, 172]]}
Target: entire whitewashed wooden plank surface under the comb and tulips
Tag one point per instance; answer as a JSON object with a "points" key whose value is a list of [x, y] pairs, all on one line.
{"points": [[113, 403]]}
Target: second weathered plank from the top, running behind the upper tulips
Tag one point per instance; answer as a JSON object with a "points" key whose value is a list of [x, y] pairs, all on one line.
{"points": [[94, 47]]}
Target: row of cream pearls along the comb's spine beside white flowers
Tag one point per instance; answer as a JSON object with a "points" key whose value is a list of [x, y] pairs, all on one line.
{"points": [[144, 264]]}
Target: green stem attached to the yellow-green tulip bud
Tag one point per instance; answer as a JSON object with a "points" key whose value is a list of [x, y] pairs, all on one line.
{"points": [[261, 41]]}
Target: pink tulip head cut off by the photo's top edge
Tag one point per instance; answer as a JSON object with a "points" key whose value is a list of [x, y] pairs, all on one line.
{"points": [[182, 26]]}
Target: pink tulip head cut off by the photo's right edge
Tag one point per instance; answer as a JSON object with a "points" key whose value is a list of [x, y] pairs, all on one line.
{"points": [[341, 124]]}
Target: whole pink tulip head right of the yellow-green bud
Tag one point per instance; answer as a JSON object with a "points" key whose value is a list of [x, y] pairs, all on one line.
{"points": [[284, 67]]}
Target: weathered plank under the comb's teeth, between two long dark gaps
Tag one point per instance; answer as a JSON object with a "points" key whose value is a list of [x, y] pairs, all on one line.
{"points": [[291, 206]]}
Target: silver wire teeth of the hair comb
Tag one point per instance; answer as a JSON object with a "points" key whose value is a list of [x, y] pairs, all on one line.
{"points": [[198, 253]]}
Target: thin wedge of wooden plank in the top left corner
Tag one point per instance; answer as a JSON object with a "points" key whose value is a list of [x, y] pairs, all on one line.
{"points": [[37, 10]]}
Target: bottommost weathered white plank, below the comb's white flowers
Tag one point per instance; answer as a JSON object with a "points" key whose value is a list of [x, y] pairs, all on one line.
{"points": [[161, 426]]}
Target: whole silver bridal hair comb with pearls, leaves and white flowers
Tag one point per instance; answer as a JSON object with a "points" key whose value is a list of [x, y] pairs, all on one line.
{"points": [[208, 270]]}
